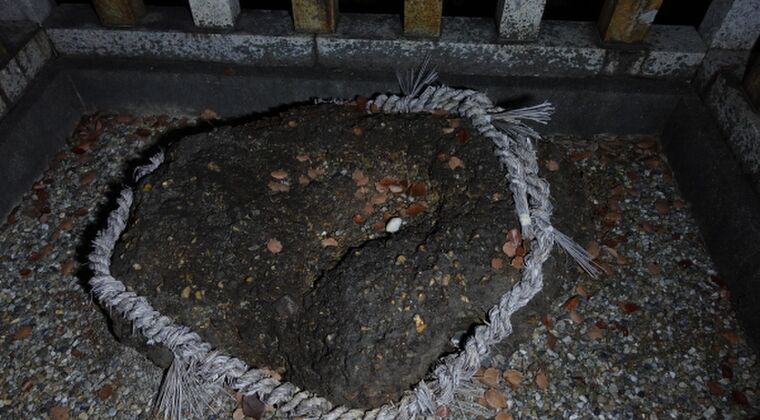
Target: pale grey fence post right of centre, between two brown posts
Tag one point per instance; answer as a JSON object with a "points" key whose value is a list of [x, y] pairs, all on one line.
{"points": [[519, 20]]}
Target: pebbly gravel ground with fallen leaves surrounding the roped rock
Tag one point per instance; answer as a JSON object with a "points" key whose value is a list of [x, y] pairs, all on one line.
{"points": [[654, 338]]}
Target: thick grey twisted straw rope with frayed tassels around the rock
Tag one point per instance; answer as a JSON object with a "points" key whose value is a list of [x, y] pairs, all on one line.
{"points": [[198, 371]]}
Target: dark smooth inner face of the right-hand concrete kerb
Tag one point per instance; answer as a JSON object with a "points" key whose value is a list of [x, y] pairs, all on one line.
{"points": [[723, 202]]}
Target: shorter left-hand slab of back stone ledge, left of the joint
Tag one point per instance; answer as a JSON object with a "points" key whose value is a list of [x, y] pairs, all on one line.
{"points": [[264, 38]]}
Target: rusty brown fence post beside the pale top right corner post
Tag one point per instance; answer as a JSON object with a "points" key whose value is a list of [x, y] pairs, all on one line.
{"points": [[627, 20]]}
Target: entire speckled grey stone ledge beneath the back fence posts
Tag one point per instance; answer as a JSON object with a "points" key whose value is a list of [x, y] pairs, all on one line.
{"points": [[467, 45]]}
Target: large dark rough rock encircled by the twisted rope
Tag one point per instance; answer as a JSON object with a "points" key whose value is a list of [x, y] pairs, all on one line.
{"points": [[268, 239]]}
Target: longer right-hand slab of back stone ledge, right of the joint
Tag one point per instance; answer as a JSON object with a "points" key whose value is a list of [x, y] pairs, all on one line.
{"points": [[472, 46]]}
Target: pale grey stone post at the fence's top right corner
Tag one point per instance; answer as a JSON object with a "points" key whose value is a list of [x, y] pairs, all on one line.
{"points": [[731, 24]]}
